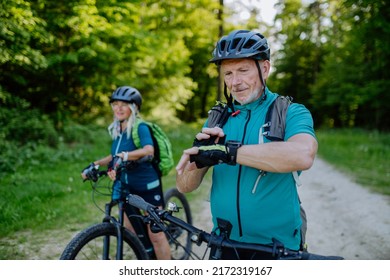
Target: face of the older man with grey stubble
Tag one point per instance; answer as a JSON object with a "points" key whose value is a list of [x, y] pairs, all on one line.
{"points": [[242, 79]]}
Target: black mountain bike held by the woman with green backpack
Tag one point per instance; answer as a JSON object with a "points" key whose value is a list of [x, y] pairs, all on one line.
{"points": [[111, 240]]}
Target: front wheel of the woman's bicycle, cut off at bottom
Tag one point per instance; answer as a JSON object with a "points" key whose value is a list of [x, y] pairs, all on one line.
{"points": [[88, 244]]}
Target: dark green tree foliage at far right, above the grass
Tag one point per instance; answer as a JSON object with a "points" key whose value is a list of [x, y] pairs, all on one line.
{"points": [[355, 70]]}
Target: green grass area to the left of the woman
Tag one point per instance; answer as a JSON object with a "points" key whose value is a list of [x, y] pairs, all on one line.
{"points": [[47, 187]]}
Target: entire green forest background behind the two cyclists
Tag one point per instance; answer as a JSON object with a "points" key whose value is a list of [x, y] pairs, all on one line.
{"points": [[60, 61]]}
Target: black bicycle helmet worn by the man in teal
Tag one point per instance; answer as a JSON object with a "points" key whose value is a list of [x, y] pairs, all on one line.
{"points": [[241, 44]]}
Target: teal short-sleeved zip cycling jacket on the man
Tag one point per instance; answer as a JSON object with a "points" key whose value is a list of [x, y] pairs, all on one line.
{"points": [[259, 207]]}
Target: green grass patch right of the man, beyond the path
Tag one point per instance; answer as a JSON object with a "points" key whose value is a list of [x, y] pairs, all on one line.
{"points": [[363, 155]]}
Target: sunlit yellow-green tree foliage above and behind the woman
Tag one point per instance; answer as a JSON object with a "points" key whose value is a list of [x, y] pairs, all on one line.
{"points": [[82, 50]]}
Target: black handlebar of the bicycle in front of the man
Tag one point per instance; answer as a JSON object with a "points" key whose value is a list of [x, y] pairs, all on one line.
{"points": [[199, 236]]}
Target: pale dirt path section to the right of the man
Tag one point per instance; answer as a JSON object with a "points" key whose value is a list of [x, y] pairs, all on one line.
{"points": [[343, 217]]}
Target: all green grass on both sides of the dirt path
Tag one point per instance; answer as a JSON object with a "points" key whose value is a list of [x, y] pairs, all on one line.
{"points": [[51, 194]]}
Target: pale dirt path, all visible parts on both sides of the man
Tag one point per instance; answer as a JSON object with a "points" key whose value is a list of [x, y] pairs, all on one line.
{"points": [[343, 219]]}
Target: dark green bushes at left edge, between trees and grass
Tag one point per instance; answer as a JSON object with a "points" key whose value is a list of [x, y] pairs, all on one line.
{"points": [[28, 137]]}
